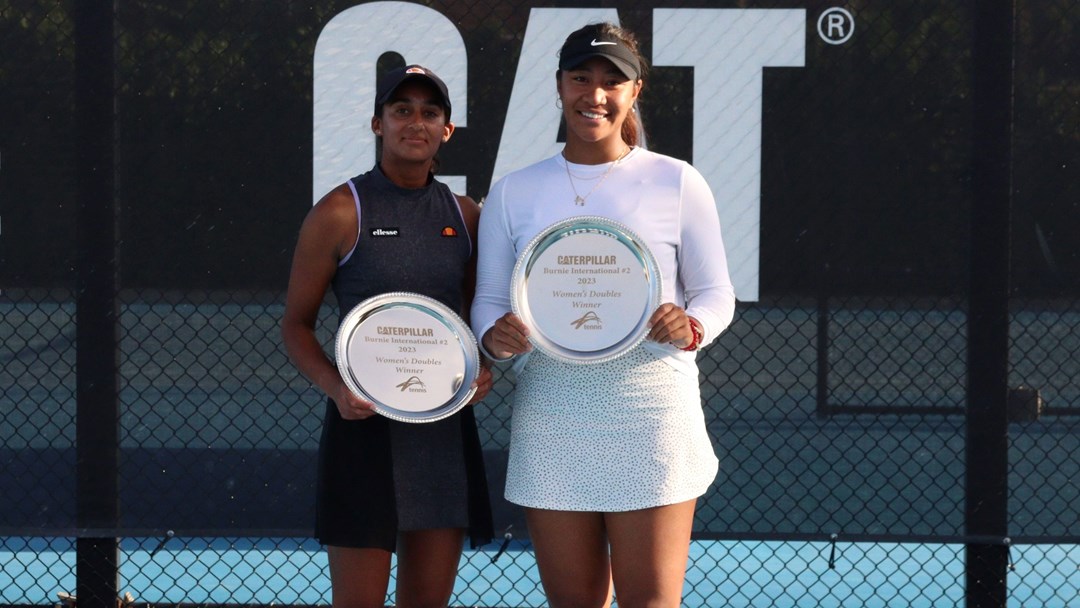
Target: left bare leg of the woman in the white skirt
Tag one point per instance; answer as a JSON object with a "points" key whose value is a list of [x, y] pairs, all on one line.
{"points": [[573, 557]]}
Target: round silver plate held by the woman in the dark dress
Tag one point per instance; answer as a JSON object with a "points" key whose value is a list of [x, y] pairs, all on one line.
{"points": [[411, 356]]}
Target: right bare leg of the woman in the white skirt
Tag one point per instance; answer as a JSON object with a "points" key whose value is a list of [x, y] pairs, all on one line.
{"points": [[650, 550]]}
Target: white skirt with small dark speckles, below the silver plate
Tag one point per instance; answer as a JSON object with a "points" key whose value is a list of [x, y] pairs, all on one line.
{"points": [[620, 436]]}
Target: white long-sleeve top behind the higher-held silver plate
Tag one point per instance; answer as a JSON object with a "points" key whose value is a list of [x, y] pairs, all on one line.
{"points": [[665, 200]]}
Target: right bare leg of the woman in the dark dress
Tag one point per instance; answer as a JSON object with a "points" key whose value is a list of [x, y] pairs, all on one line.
{"points": [[428, 566]]}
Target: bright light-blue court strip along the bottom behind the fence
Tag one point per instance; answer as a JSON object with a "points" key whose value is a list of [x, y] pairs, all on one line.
{"points": [[721, 574]]}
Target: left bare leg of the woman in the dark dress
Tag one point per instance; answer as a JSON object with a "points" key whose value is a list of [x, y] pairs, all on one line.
{"points": [[359, 577]]}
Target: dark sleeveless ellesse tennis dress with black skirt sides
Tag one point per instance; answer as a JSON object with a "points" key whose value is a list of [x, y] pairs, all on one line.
{"points": [[380, 477]]}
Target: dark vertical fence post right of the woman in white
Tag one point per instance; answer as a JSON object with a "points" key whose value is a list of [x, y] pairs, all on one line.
{"points": [[988, 445]]}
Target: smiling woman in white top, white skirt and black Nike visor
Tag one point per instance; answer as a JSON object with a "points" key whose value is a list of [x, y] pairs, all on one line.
{"points": [[609, 458]]}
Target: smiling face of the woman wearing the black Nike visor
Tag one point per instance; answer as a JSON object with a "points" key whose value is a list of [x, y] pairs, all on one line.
{"points": [[597, 100]]}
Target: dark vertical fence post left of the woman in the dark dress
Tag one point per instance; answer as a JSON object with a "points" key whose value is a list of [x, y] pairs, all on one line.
{"points": [[97, 397]]}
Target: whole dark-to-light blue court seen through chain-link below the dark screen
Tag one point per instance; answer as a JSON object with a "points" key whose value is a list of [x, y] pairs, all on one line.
{"points": [[237, 454]]}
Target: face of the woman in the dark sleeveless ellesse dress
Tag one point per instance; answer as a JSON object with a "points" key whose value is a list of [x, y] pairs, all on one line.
{"points": [[413, 124]]}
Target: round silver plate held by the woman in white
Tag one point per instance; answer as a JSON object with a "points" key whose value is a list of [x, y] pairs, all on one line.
{"points": [[587, 288]]}
